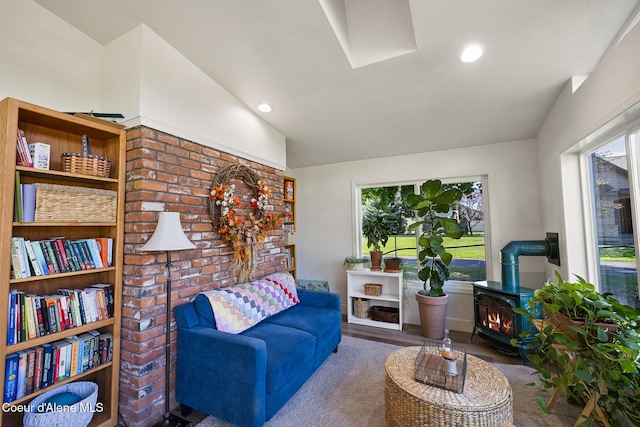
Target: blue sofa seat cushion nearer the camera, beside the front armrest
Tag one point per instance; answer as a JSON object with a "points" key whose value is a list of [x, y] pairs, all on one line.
{"points": [[288, 351]]}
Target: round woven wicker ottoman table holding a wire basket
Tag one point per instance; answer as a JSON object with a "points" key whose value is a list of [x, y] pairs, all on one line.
{"points": [[487, 399]]}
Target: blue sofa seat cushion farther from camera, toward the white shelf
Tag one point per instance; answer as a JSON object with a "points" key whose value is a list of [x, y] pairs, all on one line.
{"points": [[319, 322]]}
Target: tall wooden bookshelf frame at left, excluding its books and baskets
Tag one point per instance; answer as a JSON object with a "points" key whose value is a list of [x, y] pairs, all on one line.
{"points": [[63, 133]]}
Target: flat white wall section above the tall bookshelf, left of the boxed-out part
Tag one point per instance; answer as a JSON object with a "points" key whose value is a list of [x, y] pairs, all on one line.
{"points": [[45, 61]]}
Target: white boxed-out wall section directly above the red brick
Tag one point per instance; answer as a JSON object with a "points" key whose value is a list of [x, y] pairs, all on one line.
{"points": [[174, 96]]}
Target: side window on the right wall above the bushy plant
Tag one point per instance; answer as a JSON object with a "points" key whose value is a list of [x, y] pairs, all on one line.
{"points": [[613, 191]]}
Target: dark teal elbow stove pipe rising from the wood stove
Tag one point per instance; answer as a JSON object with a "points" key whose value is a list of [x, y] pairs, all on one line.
{"points": [[510, 253]]}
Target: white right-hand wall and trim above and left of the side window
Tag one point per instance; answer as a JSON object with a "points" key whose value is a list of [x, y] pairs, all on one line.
{"points": [[606, 100]]}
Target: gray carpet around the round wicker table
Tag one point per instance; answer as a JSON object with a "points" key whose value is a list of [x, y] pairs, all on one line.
{"points": [[348, 390]]}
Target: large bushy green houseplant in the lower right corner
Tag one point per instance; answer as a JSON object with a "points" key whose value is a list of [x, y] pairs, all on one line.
{"points": [[586, 345]]}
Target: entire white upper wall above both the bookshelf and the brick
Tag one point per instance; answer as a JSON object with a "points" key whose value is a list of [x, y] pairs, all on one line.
{"points": [[46, 61]]}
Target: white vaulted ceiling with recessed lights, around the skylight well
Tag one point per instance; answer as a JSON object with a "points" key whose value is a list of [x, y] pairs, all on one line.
{"points": [[285, 52]]}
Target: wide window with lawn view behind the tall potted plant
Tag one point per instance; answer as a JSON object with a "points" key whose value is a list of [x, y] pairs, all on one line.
{"points": [[386, 203]]}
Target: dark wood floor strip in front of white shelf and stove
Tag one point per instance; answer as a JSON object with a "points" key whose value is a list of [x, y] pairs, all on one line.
{"points": [[411, 335]]}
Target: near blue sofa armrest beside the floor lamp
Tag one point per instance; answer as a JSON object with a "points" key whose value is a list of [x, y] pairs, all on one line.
{"points": [[222, 374]]}
